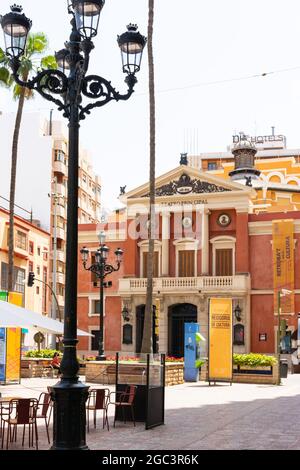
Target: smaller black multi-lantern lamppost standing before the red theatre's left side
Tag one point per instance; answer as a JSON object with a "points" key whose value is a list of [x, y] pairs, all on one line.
{"points": [[101, 268]]}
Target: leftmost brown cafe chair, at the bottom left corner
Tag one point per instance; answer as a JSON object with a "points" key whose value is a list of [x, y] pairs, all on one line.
{"points": [[22, 411]]}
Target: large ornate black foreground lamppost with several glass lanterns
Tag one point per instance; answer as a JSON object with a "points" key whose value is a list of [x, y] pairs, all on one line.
{"points": [[66, 88]]}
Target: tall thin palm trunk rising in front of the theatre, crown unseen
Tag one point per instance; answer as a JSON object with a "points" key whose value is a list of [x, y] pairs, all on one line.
{"points": [[147, 346]]}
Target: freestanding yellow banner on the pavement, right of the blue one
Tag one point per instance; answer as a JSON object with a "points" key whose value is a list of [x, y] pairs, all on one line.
{"points": [[220, 340]]}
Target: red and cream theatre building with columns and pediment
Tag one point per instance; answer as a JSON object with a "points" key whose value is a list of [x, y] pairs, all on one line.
{"points": [[215, 237]]}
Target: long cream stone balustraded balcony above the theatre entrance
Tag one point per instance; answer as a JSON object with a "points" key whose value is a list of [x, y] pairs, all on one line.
{"points": [[205, 284]]}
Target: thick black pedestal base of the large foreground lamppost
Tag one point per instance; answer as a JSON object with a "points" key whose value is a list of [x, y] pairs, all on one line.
{"points": [[69, 416]]}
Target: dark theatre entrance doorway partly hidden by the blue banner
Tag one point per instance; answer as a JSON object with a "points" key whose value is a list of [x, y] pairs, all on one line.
{"points": [[179, 315]]}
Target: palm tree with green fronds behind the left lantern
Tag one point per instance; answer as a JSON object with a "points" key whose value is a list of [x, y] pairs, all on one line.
{"points": [[37, 44]]}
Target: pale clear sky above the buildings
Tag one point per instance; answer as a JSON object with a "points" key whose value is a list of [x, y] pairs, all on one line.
{"points": [[196, 43]]}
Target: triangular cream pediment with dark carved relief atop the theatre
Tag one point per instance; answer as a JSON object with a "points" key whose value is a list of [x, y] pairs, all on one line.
{"points": [[185, 180]]}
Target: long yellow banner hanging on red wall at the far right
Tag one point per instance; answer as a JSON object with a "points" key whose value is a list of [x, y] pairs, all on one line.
{"points": [[283, 264]]}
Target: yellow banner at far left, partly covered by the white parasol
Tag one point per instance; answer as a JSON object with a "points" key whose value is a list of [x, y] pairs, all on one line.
{"points": [[13, 344]]}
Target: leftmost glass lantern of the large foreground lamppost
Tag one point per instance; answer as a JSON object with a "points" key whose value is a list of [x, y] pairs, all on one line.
{"points": [[16, 27]]}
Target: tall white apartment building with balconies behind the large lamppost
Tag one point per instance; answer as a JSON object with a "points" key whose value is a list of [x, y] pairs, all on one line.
{"points": [[42, 177]]}
